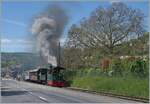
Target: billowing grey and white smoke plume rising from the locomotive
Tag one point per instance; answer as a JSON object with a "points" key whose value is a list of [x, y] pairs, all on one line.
{"points": [[48, 28]]}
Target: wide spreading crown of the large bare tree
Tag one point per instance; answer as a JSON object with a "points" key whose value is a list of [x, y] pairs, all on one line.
{"points": [[107, 27]]}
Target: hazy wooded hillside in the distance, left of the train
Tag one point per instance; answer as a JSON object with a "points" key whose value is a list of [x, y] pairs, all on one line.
{"points": [[16, 63]]}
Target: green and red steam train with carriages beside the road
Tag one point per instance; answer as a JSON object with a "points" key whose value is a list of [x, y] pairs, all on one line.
{"points": [[50, 76]]}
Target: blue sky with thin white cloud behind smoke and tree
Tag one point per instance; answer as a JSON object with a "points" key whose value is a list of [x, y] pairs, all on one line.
{"points": [[17, 18]]}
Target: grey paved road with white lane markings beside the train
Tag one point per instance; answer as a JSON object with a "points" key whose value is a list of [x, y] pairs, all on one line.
{"points": [[24, 92]]}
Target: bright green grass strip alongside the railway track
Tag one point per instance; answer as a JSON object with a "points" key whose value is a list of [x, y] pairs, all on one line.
{"points": [[127, 86]]}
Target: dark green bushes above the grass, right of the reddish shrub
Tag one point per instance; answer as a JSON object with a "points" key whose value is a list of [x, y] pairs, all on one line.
{"points": [[136, 68]]}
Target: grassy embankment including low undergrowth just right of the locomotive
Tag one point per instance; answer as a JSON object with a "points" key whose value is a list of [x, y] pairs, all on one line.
{"points": [[95, 80]]}
